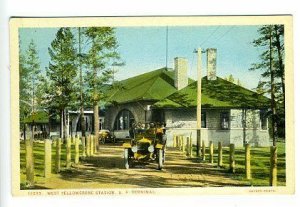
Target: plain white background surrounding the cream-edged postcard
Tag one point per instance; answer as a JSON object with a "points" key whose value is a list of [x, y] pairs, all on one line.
{"points": [[136, 7]]}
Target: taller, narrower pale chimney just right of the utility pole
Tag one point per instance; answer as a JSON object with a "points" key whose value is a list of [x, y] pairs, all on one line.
{"points": [[211, 63]]}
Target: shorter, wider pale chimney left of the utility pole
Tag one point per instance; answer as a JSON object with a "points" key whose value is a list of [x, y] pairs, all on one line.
{"points": [[181, 76]]}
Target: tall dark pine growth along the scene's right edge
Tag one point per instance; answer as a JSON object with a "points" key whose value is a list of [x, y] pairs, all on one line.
{"points": [[273, 82]]}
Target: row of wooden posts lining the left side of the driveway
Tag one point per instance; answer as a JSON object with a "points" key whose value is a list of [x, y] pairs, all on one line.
{"points": [[88, 149]]}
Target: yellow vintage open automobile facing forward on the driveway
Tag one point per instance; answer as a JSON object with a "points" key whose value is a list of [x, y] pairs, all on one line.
{"points": [[146, 144]]}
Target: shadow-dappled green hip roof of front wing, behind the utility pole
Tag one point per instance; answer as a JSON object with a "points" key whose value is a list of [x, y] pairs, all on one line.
{"points": [[217, 93]]}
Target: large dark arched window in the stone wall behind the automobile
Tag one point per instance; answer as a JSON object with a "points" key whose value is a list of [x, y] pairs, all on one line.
{"points": [[124, 120]]}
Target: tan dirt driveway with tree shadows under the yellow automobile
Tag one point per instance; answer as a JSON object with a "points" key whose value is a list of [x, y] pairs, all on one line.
{"points": [[106, 170]]}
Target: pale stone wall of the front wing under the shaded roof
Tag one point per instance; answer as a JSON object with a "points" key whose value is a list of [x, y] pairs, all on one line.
{"points": [[183, 123]]}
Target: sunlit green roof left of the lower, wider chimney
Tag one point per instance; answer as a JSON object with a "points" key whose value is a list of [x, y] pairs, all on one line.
{"points": [[153, 86]]}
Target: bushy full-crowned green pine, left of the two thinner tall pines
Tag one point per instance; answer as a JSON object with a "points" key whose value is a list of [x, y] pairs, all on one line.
{"points": [[61, 73]]}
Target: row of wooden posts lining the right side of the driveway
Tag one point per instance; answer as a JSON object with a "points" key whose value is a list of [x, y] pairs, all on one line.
{"points": [[186, 147]]}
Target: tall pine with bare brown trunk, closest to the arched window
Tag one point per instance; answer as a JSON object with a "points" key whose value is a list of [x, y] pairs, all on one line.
{"points": [[100, 56]]}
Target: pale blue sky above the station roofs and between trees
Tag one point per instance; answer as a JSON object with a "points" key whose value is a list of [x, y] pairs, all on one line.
{"points": [[143, 49]]}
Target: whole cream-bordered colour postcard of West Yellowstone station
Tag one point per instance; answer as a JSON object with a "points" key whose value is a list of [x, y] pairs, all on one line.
{"points": [[188, 105]]}
